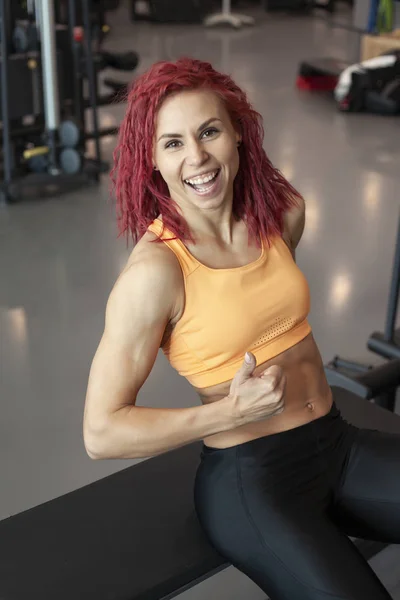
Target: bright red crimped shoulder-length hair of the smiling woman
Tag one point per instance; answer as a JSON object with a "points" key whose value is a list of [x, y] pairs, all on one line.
{"points": [[261, 193]]}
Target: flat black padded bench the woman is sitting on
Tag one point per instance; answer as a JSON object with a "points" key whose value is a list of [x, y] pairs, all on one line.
{"points": [[133, 535]]}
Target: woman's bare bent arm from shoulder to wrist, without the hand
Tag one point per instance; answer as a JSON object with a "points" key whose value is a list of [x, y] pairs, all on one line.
{"points": [[138, 311]]}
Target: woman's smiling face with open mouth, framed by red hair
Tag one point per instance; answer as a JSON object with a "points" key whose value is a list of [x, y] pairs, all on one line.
{"points": [[196, 149]]}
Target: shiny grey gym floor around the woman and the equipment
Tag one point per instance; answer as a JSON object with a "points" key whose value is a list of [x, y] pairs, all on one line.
{"points": [[59, 258]]}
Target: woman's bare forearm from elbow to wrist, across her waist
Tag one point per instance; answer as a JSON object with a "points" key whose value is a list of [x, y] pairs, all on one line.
{"points": [[140, 432]]}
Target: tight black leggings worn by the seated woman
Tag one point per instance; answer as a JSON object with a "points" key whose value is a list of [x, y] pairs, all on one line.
{"points": [[280, 508]]}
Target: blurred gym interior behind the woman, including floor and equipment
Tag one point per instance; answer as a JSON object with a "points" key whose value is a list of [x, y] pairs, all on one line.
{"points": [[334, 136]]}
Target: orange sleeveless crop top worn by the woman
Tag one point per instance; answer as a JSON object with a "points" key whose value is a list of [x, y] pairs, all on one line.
{"points": [[261, 307]]}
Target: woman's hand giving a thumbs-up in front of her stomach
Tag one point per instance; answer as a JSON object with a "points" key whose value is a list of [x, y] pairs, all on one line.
{"points": [[255, 398]]}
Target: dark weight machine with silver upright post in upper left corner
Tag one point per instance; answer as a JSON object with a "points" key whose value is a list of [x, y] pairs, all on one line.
{"points": [[48, 78]]}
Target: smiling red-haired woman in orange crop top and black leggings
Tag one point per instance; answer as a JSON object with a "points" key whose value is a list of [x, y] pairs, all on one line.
{"points": [[212, 280]]}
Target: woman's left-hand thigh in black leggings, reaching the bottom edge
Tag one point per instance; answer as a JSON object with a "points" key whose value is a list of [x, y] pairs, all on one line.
{"points": [[288, 550]]}
